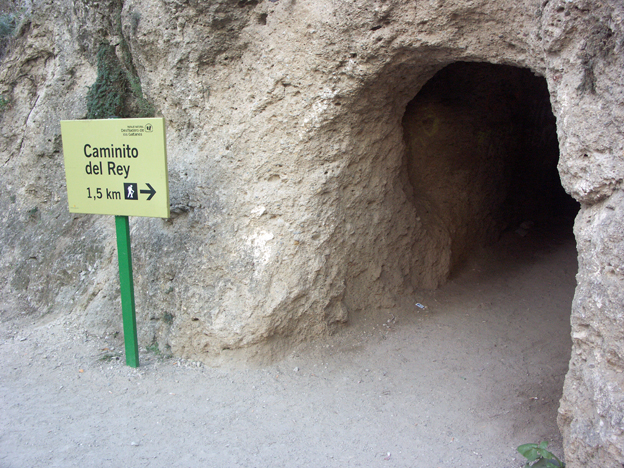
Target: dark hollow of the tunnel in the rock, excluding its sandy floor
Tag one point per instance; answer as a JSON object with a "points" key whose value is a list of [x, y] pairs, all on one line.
{"points": [[482, 155]]}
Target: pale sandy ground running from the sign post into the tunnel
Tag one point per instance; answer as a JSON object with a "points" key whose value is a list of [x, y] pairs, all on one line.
{"points": [[460, 383]]}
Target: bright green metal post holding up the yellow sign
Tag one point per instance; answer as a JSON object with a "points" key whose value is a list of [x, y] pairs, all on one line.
{"points": [[127, 290]]}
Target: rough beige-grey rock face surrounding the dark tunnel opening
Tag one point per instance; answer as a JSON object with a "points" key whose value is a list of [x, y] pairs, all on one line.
{"points": [[291, 203]]}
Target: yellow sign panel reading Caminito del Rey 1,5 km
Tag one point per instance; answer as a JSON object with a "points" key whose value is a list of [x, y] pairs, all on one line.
{"points": [[116, 167]]}
